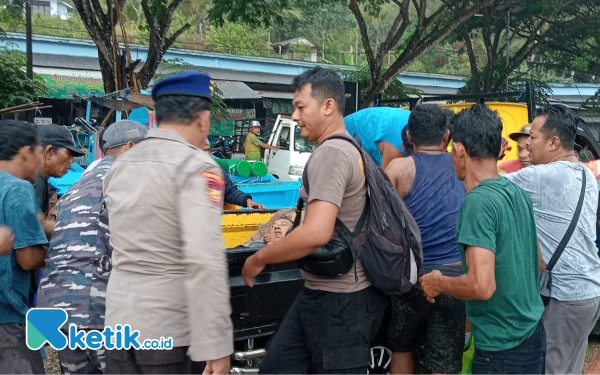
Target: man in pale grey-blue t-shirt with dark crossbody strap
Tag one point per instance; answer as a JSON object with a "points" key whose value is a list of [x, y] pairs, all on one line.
{"points": [[554, 183]]}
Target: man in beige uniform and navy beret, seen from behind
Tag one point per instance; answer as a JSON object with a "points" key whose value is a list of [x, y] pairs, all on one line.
{"points": [[170, 279]]}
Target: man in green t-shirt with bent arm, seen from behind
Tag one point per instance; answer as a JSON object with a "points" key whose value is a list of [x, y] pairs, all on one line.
{"points": [[497, 238]]}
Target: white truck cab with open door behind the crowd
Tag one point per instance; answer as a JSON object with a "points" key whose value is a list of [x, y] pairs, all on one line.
{"points": [[288, 162]]}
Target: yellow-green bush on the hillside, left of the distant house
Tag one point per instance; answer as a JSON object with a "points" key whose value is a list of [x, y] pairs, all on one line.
{"points": [[239, 39]]}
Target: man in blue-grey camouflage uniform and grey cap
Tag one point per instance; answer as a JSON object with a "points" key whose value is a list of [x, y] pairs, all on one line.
{"points": [[78, 261]]}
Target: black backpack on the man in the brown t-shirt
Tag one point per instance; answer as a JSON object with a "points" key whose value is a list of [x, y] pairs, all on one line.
{"points": [[390, 248]]}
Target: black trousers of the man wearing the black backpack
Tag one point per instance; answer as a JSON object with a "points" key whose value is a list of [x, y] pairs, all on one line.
{"points": [[326, 334]]}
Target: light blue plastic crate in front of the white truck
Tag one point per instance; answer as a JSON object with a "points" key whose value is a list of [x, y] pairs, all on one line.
{"points": [[274, 194]]}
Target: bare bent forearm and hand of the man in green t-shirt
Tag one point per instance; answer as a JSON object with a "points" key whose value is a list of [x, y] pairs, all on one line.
{"points": [[479, 283]]}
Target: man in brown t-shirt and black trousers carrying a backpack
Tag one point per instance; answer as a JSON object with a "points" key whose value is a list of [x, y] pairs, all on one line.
{"points": [[329, 327]]}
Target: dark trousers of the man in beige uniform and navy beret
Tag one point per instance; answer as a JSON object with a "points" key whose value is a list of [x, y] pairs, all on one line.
{"points": [[152, 362]]}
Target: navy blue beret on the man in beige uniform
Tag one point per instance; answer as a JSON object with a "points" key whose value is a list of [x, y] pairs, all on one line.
{"points": [[188, 83]]}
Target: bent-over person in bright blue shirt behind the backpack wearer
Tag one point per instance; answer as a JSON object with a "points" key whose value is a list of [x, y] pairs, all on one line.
{"points": [[379, 130]]}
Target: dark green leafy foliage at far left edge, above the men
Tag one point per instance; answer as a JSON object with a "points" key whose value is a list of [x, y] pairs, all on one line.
{"points": [[15, 87]]}
